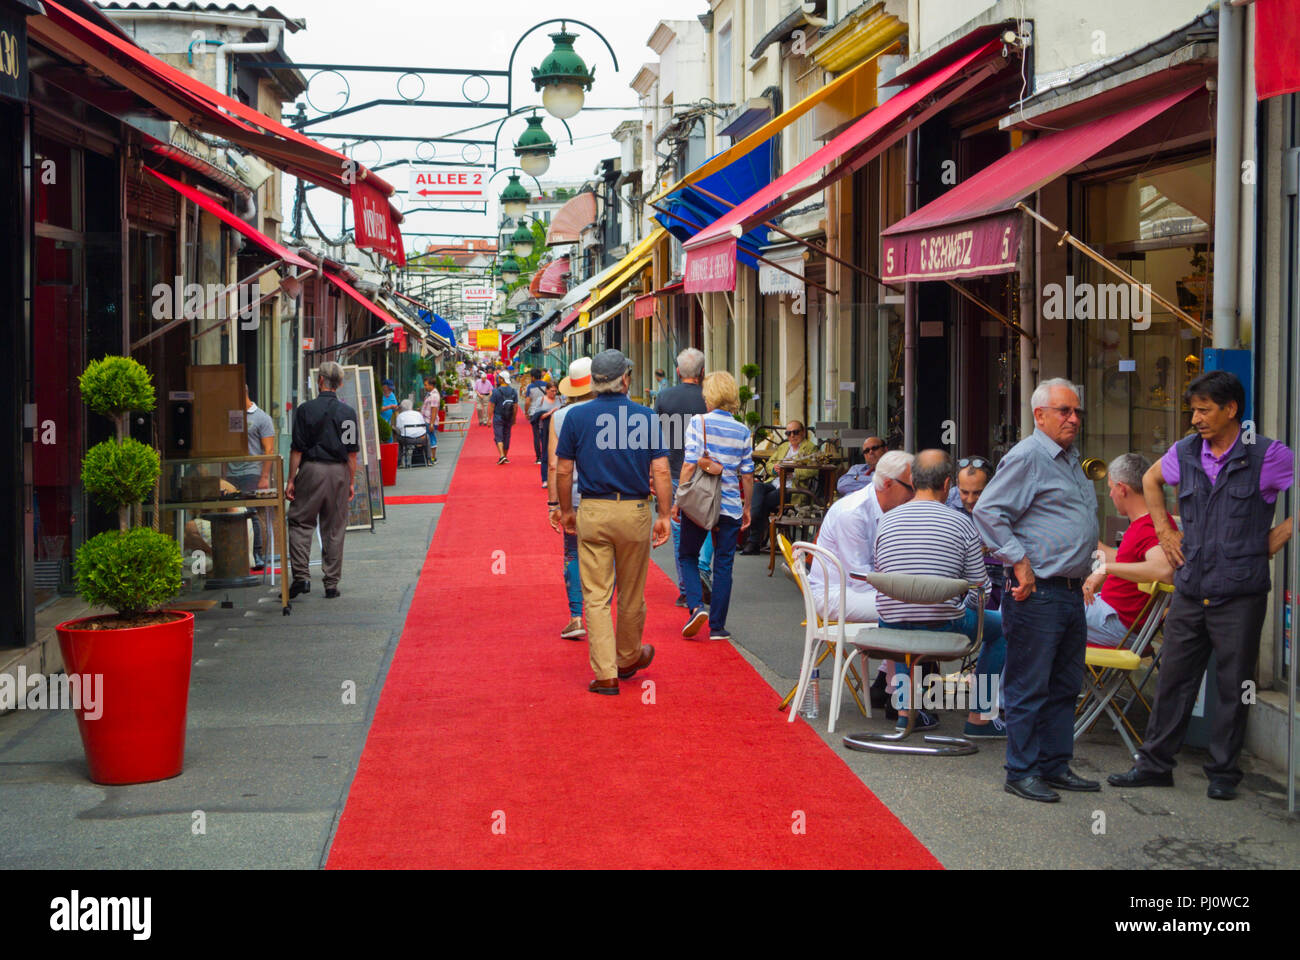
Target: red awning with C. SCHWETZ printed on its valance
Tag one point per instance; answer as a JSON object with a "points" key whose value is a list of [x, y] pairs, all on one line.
{"points": [[974, 230]]}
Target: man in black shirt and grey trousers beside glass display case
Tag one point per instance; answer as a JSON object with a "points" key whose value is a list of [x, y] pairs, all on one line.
{"points": [[322, 481]]}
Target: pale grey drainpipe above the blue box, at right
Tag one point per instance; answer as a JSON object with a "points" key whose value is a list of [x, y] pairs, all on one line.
{"points": [[1228, 166]]}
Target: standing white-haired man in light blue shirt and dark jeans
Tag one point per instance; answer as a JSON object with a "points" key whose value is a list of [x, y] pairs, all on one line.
{"points": [[1039, 516]]}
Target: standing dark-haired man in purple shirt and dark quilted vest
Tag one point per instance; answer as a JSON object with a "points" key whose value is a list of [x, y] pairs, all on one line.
{"points": [[1228, 483]]}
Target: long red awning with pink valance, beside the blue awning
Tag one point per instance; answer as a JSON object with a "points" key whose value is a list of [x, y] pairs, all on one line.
{"points": [[857, 146]]}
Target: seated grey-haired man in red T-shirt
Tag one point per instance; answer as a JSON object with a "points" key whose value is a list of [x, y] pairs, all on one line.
{"points": [[1139, 559]]}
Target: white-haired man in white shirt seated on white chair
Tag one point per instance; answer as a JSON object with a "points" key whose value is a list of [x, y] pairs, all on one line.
{"points": [[850, 533]]}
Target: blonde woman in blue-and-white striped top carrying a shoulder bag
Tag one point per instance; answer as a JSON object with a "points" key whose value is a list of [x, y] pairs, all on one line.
{"points": [[717, 436]]}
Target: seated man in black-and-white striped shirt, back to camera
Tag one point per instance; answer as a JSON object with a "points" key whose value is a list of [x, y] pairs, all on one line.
{"points": [[926, 537]]}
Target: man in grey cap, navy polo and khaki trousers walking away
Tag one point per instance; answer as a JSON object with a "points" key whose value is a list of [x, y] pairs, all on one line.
{"points": [[618, 449]]}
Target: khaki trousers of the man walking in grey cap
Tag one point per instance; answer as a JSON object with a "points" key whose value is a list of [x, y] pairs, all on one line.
{"points": [[614, 551]]}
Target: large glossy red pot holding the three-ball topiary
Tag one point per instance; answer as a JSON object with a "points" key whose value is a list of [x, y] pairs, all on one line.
{"points": [[144, 684]]}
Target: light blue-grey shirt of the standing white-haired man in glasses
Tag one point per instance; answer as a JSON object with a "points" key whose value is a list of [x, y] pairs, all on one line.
{"points": [[1041, 505]]}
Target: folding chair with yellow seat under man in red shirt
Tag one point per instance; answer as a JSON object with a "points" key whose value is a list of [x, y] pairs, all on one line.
{"points": [[1110, 669]]}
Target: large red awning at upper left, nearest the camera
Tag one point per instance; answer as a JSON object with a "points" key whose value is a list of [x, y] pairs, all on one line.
{"points": [[198, 106]]}
